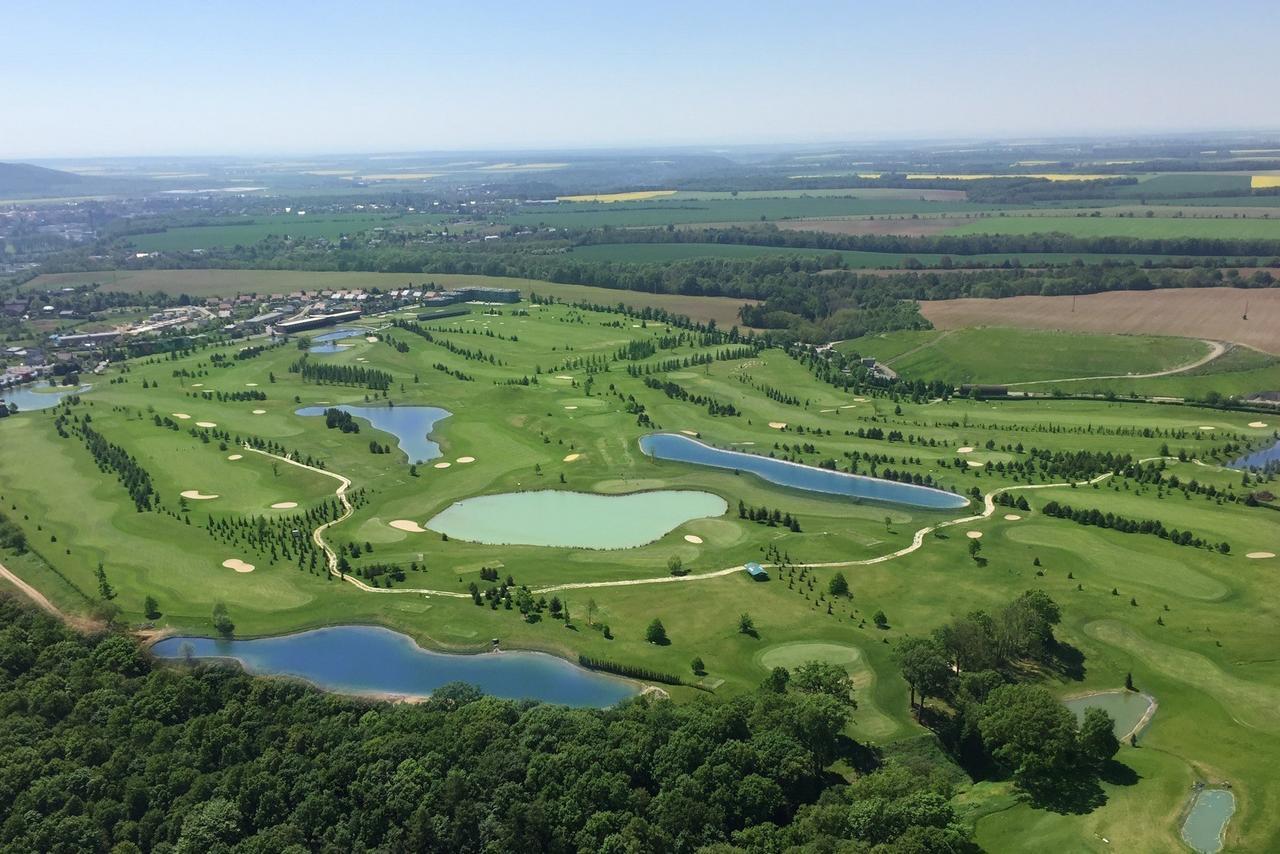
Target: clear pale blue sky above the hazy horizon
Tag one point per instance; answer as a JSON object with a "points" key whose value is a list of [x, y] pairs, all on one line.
{"points": [[231, 77]]}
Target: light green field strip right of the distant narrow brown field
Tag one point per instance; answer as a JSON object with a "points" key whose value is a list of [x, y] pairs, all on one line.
{"points": [[1154, 227]]}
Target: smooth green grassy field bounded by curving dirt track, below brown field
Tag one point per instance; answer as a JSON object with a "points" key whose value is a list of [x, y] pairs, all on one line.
{"points": [[1002, 355]]}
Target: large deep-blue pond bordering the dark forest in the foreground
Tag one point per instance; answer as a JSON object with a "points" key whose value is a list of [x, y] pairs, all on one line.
{"points": [[369, 660]]}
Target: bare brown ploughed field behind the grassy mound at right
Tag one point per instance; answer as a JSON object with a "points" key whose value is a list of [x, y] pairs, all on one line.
{"points": [[1190, 313]]}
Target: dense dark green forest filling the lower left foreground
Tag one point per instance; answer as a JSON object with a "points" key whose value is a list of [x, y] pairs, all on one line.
{"points": [[100, 752]]}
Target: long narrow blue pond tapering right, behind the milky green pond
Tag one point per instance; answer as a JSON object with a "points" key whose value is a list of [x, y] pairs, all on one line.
{"points": [[680, 449]]}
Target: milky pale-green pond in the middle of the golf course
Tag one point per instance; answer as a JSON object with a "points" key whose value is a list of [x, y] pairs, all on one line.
{"points": [[574, 519]]}
